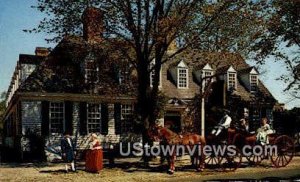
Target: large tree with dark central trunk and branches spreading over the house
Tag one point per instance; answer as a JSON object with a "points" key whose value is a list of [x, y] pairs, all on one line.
{"points": [[149, 27]]}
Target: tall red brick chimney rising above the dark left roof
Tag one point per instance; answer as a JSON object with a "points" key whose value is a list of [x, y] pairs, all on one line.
{"points": [[92, 19]]}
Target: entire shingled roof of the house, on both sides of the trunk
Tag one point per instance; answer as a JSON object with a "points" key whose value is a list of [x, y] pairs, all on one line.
{"points": [[59, 73]]}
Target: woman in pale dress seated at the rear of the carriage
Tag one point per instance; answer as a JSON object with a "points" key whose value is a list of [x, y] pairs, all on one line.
{"points": [[263, 132]]}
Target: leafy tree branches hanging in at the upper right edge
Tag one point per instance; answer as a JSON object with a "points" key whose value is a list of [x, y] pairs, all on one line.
{"points": [[281, 40]]}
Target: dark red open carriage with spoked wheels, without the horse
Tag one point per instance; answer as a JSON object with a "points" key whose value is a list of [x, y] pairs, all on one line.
{"points": [[281, 156]]}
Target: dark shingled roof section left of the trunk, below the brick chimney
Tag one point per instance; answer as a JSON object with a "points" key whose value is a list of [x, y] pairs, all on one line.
{"points": [[62, 71]]}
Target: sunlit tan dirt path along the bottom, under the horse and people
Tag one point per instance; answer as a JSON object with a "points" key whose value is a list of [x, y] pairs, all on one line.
{"points": [[134, 171]]}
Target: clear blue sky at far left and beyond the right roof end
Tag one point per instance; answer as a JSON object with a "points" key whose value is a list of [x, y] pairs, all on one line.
{"points": [[16, 15]]}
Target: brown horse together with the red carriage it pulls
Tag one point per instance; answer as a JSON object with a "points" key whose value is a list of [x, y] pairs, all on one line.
{"points": [[231, 142]]}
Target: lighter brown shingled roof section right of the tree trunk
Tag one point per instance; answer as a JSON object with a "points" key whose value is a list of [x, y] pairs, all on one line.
{"points": [[219, 61]]}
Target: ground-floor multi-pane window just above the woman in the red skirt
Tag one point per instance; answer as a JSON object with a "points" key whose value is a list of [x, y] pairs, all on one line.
{"points": [[93, 118]]}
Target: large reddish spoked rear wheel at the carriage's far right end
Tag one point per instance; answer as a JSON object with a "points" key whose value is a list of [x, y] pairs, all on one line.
{"points": [[285, 151]]}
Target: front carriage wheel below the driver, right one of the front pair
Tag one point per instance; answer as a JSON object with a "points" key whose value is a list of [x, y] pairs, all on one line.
{"points": [[231, 163]]}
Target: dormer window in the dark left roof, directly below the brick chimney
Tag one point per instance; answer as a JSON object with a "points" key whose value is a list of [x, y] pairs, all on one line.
{"points": [[91, 71]]}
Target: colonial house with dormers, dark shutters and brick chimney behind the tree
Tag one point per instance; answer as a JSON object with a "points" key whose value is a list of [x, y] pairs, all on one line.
{"points": [[84, 86]]}
